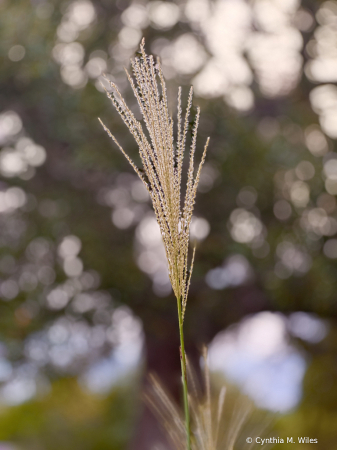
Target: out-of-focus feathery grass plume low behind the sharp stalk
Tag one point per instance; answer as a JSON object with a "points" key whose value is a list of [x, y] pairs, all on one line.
{"points": [[213, 426]]}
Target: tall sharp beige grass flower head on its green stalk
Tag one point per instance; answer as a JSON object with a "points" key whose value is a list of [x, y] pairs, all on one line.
{"points": [[162, 158]]}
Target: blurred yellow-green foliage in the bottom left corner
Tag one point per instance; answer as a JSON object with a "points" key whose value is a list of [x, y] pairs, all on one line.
{"points": [[69, 417]]}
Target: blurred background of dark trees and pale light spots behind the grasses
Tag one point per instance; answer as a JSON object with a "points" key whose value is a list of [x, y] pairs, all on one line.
{"points": [[86, 306]]}
